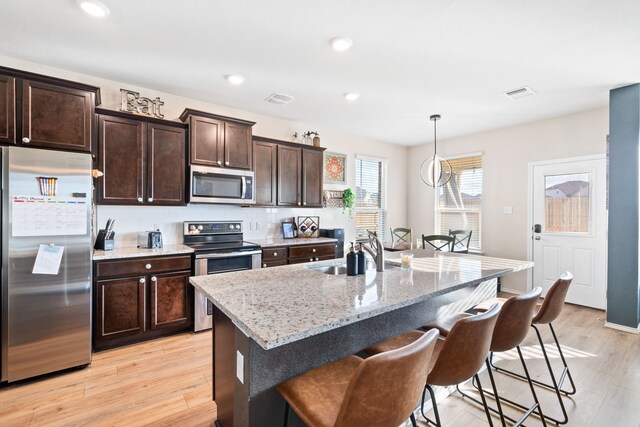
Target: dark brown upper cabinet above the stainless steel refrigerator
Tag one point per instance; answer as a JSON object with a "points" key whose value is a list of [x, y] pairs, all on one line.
{"points": [[45, 112]]}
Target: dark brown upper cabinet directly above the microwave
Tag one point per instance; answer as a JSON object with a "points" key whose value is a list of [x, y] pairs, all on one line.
{"points": [[218, 140]]}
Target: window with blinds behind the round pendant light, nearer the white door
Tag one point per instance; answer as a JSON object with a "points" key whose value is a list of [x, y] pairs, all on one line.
{"points": [[459, 203]]}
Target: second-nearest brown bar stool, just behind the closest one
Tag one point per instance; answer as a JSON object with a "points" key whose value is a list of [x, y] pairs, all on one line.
{"points": [[457, 358]]}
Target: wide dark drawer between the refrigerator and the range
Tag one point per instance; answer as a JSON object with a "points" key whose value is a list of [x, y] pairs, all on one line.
{"points": [[142, 266]]}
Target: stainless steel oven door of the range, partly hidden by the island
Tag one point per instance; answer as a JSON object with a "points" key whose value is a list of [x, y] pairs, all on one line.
{"points": [[214, 263]]}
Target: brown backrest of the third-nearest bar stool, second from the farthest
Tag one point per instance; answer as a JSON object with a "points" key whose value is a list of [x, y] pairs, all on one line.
{"points": [[514, 320]]}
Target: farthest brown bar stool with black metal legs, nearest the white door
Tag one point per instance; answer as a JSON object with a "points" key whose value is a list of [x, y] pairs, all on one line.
{"points": [[548, 311]]}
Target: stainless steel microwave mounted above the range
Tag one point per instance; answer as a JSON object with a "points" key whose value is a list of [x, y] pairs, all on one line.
{"points": [[221, 185]]}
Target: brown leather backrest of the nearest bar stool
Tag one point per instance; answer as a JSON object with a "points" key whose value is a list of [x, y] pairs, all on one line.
{"points": [[386, 387]]}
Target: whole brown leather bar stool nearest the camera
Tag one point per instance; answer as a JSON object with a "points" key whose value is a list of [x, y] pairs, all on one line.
{"points": [[378, 391]]}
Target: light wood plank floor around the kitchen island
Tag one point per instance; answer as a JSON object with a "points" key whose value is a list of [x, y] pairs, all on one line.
{"points": [[168, 382]]}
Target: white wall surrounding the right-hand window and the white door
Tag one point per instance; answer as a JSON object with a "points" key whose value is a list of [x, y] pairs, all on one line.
{"points": [[506, 154]]}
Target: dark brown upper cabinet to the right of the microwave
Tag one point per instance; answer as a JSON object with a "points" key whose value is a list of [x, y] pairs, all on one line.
{"points": [[287, 174]]}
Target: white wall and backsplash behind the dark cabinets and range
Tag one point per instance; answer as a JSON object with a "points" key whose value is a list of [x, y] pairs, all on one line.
{"points": [[130, 220]]}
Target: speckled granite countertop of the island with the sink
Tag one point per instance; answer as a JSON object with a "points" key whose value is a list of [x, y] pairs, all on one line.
{"points": [[276, 306]]}
